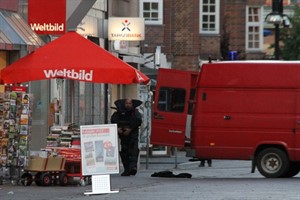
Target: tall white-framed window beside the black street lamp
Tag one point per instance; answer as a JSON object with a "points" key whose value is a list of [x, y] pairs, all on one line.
{"points": [[254, 28]]}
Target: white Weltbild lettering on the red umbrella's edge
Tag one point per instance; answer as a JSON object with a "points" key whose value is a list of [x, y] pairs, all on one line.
{"points": [[81, 75]]}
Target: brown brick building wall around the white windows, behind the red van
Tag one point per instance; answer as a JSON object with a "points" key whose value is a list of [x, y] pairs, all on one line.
{"points": [[182, 43]]}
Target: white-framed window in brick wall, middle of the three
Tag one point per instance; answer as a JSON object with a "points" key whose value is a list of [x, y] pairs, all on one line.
{"points": [[209, 16]]}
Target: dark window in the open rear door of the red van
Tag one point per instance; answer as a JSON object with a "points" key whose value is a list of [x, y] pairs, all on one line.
{"points": [[171, 99]]}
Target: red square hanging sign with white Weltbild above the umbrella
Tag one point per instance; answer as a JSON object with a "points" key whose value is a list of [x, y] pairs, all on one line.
{"points": [[47, 17]]}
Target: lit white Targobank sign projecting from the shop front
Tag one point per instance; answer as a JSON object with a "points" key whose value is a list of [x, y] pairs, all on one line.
{"points": [[126, 28]]}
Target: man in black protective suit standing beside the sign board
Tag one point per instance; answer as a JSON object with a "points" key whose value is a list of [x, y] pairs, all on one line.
{"points": [[128, 119]]}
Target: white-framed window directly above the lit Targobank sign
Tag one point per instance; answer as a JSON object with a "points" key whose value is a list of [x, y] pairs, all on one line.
{"points": [[152, 11]]}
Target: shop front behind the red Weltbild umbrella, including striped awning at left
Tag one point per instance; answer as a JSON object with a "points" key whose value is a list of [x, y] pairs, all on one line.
{"points": [[61, 101]]}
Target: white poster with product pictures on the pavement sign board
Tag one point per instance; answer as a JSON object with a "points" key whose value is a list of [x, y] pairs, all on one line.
{"points": [[99, 149]]}
